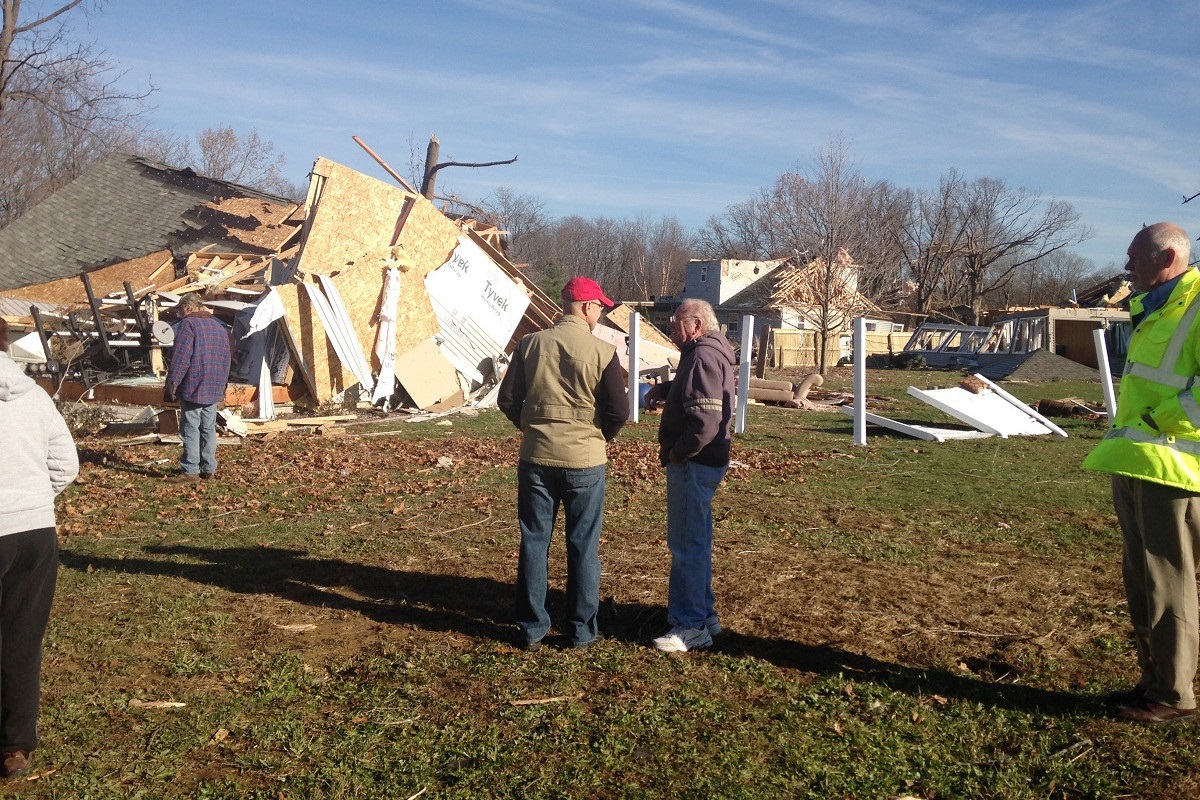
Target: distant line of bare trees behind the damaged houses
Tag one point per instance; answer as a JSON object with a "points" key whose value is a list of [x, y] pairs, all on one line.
{"points": [[968, 244]]}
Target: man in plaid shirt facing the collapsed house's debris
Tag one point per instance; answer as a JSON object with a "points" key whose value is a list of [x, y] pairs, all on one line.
{"points": [[199, 374]]}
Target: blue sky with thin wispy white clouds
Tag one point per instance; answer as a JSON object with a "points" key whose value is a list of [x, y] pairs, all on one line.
{"points": [[622, 109]]}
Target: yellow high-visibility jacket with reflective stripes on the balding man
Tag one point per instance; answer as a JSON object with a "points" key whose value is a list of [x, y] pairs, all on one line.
{"points": [[1156, 435]]}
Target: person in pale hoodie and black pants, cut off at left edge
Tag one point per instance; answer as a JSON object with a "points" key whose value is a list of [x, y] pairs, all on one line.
{"points": [[40, 461]]}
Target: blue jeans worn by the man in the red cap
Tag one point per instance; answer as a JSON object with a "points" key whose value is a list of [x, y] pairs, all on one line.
{"points": [[541, 491]]}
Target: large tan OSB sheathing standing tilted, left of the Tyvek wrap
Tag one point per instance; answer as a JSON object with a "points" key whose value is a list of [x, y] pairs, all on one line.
{"points": [[350, 237]]}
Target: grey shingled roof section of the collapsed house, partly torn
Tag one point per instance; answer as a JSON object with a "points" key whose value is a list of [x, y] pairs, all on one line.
{"points": [[124, 208]]}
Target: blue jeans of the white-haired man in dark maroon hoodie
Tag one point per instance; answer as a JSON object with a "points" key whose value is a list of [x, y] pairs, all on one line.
{"points": [[691, 490]]}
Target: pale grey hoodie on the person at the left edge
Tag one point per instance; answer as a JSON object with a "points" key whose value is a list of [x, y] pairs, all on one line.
{"points": [[38, 455]]}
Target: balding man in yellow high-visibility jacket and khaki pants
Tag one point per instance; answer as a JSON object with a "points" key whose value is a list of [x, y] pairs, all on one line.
{"points": [[1153, 449]]}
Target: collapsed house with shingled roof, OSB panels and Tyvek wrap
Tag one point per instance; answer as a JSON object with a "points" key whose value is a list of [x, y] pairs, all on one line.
{"points": [[364, 292]]}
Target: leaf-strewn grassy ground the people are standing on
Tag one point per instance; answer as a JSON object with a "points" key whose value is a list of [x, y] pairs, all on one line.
{"points": [[331, 619]]}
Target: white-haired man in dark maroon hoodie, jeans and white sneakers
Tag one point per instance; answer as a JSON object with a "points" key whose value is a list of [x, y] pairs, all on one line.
{"points": [[694, 447]]}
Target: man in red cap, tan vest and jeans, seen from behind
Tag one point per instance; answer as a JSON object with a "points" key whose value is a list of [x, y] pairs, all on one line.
{"points": [[566, 392]]}
